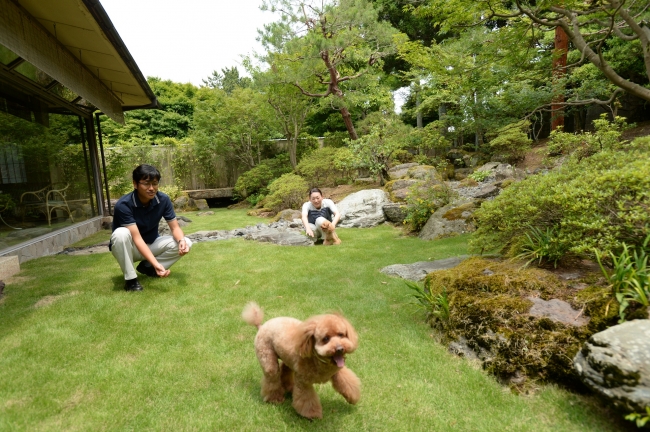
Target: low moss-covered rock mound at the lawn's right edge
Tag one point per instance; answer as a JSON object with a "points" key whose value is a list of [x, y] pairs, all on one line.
{"points": [[521, 324]]}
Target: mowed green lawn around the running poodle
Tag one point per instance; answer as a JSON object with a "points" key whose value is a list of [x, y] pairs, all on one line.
{"points": [[79, 353]]}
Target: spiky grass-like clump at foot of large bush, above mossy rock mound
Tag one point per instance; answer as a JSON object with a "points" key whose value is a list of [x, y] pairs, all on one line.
{"points": [[542, 246]]}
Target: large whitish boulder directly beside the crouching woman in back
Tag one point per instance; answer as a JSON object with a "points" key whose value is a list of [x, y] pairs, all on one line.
{"points": [[363, 209]]}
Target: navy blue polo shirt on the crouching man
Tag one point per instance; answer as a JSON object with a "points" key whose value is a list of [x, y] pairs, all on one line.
{"points": [[129, 210]]}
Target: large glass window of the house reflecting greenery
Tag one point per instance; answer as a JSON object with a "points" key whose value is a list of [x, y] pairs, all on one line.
{"points": [[44, 178]]}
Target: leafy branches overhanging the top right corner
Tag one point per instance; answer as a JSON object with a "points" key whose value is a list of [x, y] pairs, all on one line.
{"points": [[598, 30]]}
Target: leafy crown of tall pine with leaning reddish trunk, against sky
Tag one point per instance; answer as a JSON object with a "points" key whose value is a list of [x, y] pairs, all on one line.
{"points": [[335, 42]]}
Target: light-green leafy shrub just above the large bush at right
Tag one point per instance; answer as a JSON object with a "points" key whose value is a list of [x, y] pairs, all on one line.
{"points": [[606, 136]]}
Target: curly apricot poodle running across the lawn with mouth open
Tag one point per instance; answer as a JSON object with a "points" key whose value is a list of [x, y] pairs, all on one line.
{"points": [[312, 351]]}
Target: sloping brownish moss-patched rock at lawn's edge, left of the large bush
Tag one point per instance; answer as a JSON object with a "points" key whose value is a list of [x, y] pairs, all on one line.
{"points": [[450, 220]]}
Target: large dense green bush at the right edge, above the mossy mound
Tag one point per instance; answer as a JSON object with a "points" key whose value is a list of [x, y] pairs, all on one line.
{"points": [[598, 202]]}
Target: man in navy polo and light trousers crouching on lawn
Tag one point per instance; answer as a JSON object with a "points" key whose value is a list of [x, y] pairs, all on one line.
{"points": [[135, 230]]}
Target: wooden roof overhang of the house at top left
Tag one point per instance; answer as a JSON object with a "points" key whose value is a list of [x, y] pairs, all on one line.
{"points": [[74, 42]]}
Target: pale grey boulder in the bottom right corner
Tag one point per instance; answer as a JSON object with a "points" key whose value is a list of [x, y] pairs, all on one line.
{"points": [[616, 364]]}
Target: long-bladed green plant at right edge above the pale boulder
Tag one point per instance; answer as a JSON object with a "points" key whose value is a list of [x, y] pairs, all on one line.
{"points": [[630, 278]]}
